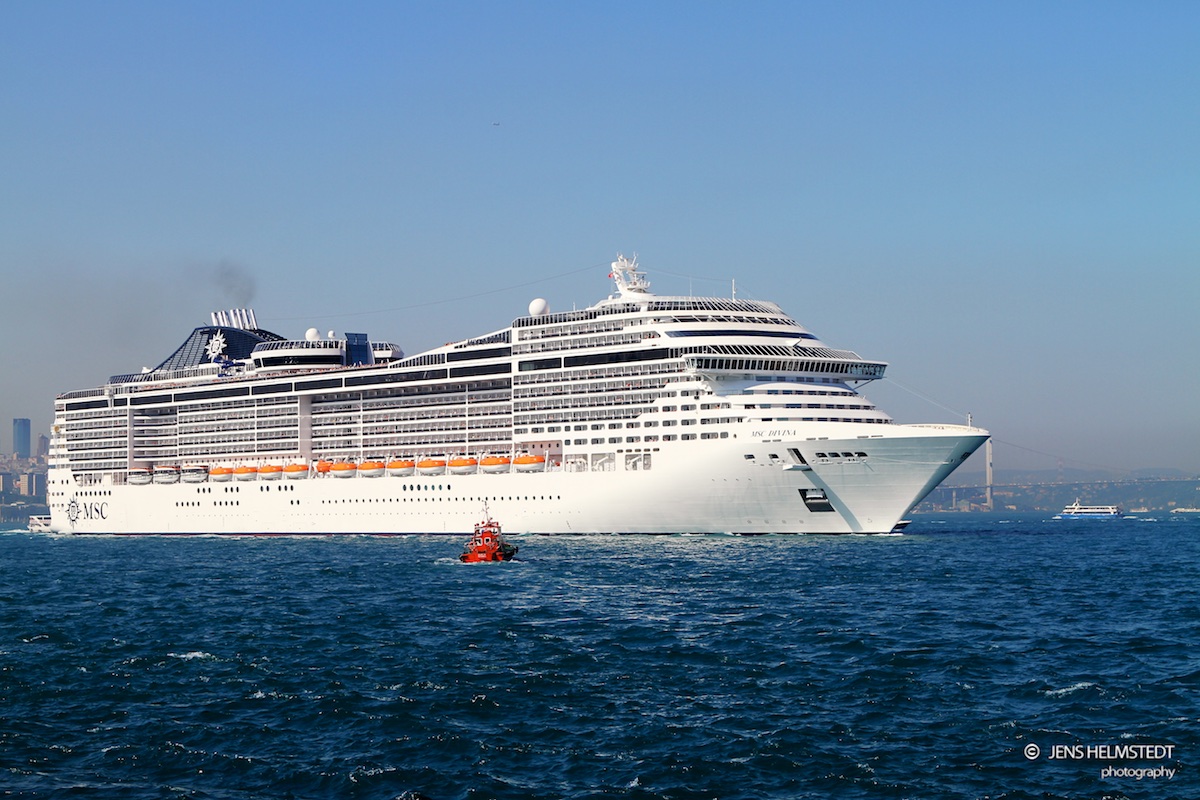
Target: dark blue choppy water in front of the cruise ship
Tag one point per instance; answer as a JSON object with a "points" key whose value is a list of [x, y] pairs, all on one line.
{"points": [[915, 666]]}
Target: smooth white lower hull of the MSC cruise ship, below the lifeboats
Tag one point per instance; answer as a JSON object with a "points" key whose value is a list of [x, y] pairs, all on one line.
{"points": [[721, 492]]}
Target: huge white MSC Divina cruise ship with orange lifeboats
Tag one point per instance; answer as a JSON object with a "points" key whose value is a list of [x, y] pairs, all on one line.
{"points": [[643, 414]]}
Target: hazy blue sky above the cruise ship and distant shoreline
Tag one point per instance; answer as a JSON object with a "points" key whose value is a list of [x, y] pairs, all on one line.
{"points": [[1000, 200]]}
